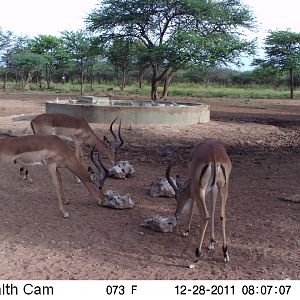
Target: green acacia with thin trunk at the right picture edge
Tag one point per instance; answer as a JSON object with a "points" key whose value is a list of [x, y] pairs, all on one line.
{"points": [[282, 53]]}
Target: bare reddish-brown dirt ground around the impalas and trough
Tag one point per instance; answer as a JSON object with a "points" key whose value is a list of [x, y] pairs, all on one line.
{"points": [[263, 231]]}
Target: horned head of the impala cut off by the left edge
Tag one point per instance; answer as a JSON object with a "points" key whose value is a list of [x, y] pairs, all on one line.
{"points": [[103, 173]]}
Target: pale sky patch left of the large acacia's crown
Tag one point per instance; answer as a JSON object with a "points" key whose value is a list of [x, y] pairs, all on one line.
{"points": [[34, 17]]}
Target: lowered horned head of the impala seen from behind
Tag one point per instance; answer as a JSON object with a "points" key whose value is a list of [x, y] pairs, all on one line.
{"points": [[182, 193]]}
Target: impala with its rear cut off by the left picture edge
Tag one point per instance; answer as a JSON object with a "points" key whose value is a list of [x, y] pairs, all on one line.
{"points": [[51, 151]]}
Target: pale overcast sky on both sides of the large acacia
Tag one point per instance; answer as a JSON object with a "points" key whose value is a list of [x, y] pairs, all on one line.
{"points": [[34, 17]]}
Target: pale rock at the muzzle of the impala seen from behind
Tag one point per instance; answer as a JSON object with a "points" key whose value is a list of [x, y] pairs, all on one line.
{"points": [[160, 223]]}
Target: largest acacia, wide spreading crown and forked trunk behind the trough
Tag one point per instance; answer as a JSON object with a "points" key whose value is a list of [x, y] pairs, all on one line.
{"points": [[175, 32]]}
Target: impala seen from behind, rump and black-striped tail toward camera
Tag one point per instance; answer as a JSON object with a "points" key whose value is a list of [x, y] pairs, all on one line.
{"points": [[209, 169]]}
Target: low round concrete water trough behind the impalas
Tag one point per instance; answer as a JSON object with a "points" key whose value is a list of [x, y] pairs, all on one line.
{"points": [[104, 110]]}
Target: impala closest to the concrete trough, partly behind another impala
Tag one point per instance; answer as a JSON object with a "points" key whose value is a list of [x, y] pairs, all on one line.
{"points": [[77, 130]]}
